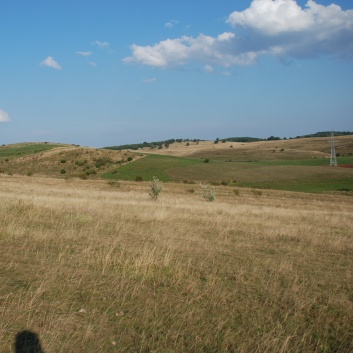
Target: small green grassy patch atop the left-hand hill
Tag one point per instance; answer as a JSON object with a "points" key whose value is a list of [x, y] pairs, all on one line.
{"points": [[21, 150]]}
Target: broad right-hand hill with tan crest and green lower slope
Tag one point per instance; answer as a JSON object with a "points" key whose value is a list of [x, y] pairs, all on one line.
{"points": [[296, 165]]}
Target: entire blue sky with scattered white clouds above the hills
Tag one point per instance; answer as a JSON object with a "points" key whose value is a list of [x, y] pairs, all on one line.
{"points": [[112, 72]]}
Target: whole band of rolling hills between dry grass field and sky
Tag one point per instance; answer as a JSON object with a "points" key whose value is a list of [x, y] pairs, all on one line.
{"points": [[296, 164]]}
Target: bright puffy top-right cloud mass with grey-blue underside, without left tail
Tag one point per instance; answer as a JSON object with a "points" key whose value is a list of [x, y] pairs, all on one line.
{"points": [[283, 28]]}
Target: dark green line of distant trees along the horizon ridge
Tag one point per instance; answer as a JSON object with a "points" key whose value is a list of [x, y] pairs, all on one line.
{"points": [[167, 143]]}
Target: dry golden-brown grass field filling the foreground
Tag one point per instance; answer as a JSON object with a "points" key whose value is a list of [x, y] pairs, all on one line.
{"points": [[96, 267]]}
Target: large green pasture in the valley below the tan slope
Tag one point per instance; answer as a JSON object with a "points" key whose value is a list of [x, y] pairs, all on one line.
{"points": [[307, 175]]}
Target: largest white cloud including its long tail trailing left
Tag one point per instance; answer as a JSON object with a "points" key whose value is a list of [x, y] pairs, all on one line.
{"points": [[280, 28]]}
